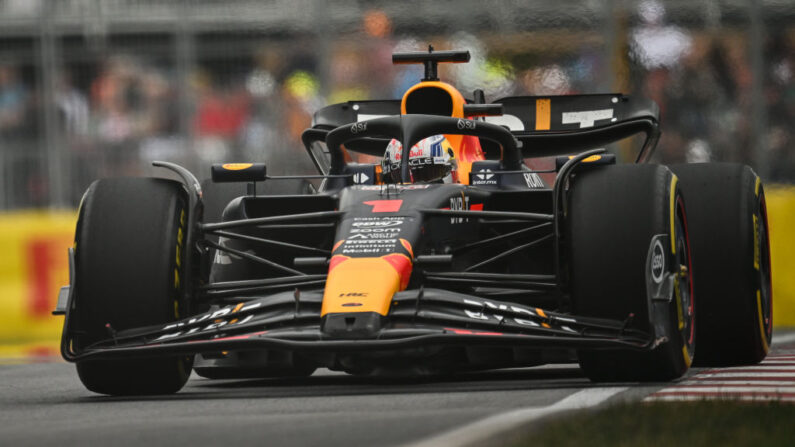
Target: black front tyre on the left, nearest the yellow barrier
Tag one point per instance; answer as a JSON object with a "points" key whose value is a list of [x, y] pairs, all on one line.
{"points": [[129, 261]]}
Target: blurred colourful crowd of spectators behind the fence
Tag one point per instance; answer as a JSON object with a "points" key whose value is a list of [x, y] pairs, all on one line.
{"points": [[116, 113]]}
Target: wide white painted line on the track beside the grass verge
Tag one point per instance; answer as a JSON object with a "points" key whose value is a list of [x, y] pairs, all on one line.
{"points": [[479, 432]]}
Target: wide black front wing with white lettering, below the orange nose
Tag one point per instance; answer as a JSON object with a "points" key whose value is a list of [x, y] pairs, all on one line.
{"points": [[290, 321]]}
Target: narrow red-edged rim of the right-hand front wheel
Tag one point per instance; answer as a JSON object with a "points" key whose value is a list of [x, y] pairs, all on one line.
{"points": [[683, 284]]}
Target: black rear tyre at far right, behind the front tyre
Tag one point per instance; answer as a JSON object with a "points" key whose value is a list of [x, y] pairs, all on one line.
{"points": [[731, 258]]}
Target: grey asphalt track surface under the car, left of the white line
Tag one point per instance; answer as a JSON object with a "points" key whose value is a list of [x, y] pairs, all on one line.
{"points": [[45, 404]]}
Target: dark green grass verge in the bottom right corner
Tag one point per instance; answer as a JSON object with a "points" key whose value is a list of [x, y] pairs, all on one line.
{"points": [[706, 423]]}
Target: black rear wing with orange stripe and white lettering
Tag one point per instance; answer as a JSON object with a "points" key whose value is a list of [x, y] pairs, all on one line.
{"points": [[546, 125]]}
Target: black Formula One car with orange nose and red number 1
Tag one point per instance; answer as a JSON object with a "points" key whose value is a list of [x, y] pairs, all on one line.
{"points": [[450, 254]]}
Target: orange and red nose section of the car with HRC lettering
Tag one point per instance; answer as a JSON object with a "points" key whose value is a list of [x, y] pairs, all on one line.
{"points": [[364, 284]]}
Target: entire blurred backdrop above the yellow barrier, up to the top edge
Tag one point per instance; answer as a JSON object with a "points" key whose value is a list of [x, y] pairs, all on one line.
{"points": [[95, 88]]}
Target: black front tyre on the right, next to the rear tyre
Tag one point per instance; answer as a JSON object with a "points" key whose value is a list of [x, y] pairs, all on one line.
{"points": [[617, 216]]}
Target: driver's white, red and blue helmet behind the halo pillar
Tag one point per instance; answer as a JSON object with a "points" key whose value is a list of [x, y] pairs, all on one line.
{"points": [[431, 160]]}
